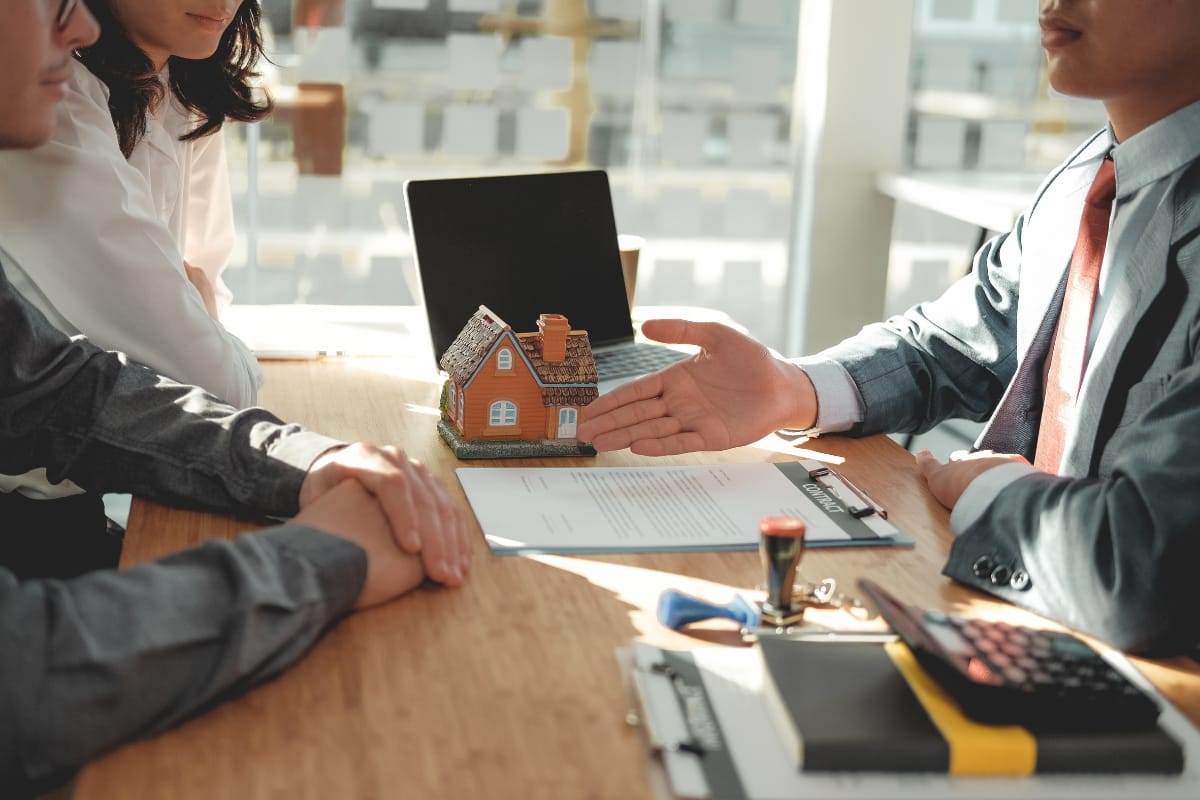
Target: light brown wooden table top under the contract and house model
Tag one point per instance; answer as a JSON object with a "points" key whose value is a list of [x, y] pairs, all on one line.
{"points": [[507, 688]]}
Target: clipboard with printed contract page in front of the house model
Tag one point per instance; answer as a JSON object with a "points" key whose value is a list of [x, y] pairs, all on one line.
{"points": [[650, 509]]}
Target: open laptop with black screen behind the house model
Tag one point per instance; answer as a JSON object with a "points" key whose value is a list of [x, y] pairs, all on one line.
{"points": [[526, 245]]}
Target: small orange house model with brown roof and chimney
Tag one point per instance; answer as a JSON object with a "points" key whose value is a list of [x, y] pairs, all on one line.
{"points": [[517, 395]]}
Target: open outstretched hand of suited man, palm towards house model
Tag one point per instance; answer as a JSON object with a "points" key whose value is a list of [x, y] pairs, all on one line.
{"points": [[730, 394]]}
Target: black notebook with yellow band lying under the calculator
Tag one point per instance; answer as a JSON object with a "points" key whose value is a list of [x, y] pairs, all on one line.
{"points": [[865, 707]]}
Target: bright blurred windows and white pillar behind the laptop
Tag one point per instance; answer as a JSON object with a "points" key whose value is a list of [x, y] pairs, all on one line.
{"points": [[799, 165]]}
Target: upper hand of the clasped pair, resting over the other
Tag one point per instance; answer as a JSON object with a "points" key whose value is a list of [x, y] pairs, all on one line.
{"points": [[422, 516]]}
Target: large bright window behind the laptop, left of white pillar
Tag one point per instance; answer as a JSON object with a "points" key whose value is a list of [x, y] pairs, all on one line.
{"points": [[687, 105]]}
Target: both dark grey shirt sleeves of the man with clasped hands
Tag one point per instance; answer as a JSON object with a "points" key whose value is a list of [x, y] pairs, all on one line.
{"points": [[92, 663]]}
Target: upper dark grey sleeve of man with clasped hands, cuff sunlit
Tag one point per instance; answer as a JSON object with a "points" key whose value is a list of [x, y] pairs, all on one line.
{"points": [[91, 417]]}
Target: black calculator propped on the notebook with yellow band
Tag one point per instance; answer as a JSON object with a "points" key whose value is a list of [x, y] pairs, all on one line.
{"points": [[1010, 675]]}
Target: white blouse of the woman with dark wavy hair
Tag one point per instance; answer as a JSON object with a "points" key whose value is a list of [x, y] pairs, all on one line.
{"points": [[98, 242]]}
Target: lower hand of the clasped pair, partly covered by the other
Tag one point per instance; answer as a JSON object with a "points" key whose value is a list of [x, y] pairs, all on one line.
{"points": [[350, 512]]}
